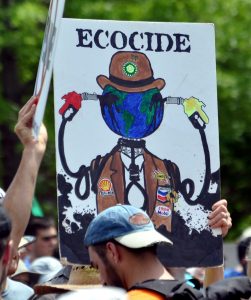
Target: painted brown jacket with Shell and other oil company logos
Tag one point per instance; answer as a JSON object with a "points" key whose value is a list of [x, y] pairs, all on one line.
{"points": [[110, 185]]}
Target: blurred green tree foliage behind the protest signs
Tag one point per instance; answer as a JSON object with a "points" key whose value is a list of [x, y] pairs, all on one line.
{"points": [[22, 25]]}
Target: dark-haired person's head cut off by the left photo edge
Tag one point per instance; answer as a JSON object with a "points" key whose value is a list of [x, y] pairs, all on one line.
{"points": [[5, 245]]}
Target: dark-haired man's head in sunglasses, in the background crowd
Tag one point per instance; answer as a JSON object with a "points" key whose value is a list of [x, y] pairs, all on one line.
{"points": [[45, 231]]}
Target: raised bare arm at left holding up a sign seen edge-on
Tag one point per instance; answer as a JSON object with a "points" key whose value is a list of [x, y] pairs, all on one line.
{"points": [[18, 198]]}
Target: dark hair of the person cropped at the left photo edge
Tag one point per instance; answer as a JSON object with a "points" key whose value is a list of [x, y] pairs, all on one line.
{"points": [[5, 229]]}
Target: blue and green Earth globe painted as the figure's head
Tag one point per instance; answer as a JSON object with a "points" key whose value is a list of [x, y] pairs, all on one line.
{"points": [[132, 115]]}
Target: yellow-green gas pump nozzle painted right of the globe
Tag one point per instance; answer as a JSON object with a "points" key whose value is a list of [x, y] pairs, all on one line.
{"points": [[194, 106]]}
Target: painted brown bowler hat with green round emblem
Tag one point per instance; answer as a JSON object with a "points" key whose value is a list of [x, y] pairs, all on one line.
{"points": [[130, 71]]}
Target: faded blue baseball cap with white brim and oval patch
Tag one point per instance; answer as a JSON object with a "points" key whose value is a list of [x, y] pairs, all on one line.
{"points": [[128, 225]]}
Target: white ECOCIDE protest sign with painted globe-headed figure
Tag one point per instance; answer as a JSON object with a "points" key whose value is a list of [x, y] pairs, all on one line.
{"points": [[137, 123]]}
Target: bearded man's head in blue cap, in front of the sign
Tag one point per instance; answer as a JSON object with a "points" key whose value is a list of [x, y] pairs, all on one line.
{"points": [[117, 237]]}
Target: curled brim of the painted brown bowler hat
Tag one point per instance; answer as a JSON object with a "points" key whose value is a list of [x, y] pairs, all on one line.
{"points": [[103, 81]]}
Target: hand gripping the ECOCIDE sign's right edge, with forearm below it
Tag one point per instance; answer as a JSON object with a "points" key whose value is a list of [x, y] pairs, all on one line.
{"points": [[219, 218]]}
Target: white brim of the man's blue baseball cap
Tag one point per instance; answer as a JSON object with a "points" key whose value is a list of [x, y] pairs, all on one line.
{"points": [[142, 239]]}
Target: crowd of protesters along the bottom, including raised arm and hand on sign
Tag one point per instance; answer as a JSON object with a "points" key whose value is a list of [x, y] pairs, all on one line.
{"points": [[119, 239]]}
